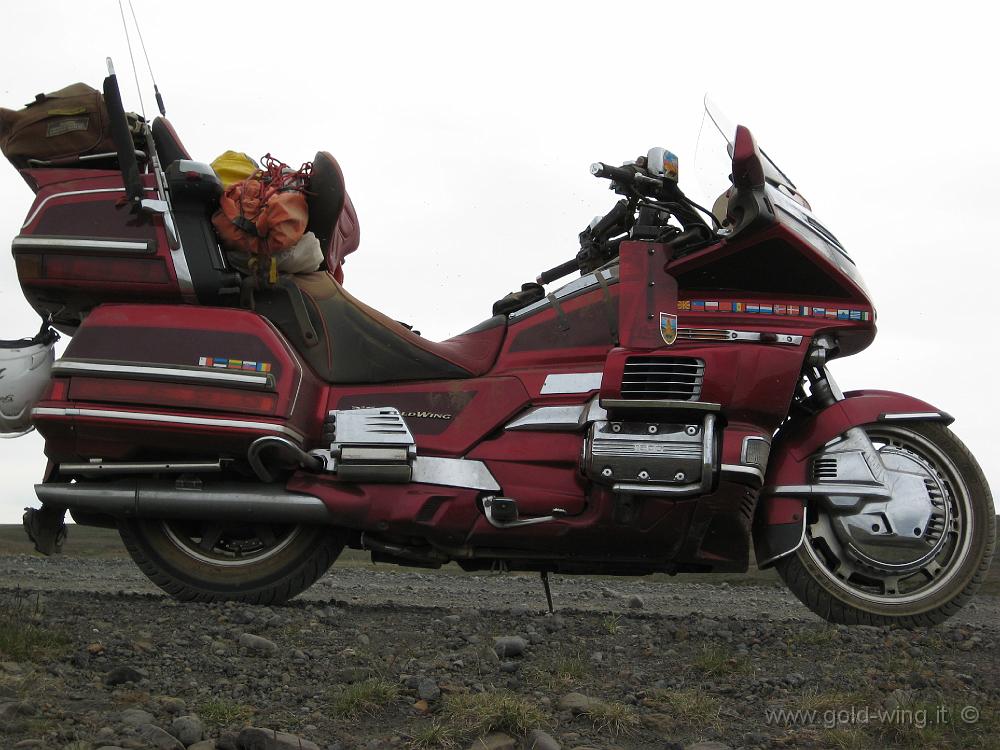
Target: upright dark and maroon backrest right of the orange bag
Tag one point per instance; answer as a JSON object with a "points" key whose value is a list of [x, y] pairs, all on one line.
{"points": [[331, 214]]}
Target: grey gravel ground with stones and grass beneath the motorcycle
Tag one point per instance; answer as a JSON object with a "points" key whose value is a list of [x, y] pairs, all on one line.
{"points": [[94, 656]]}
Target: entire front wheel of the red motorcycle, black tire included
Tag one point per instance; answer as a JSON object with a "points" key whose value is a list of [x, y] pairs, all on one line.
{"points": [[863, 568]]}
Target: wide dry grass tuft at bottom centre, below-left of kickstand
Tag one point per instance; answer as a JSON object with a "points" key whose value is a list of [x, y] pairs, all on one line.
{"points": [[477, 714]]}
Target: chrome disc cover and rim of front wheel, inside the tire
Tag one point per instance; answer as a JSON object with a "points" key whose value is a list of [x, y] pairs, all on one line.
{"points": [[906, 549]]}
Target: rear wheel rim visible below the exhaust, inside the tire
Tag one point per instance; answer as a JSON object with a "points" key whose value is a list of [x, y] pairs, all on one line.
{"points": [[229, 545]]}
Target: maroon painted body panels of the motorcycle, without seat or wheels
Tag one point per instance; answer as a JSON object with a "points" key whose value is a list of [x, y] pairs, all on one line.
{"points": [[135, 313]]}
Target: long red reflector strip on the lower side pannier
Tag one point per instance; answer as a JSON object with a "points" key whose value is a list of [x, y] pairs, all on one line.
{"points": [[181, 395]]}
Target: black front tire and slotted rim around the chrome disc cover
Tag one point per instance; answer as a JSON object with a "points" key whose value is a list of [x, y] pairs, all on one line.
{"points": [[843, 585]]}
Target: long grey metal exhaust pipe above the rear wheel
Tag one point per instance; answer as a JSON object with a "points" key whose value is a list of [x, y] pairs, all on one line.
{"points": [[158, 499]]}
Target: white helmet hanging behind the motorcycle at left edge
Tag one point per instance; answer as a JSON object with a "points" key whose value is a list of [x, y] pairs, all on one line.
{"points": [[25, 366]]}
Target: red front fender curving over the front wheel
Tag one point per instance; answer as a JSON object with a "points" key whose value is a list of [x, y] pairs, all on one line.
{"points": [[779, 522]]}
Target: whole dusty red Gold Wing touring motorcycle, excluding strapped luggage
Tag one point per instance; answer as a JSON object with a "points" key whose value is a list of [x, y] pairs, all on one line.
{"points": [[656, 414]]}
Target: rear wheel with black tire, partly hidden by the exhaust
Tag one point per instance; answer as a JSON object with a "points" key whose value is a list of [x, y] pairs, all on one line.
{"points": [[209, 561]]}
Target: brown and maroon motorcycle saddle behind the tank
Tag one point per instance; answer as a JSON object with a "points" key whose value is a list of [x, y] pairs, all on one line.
{"points": [[350, 342]]}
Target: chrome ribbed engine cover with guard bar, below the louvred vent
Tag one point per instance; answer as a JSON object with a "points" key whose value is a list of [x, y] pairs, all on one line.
{"points": [[652, 457]]}
